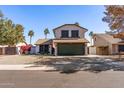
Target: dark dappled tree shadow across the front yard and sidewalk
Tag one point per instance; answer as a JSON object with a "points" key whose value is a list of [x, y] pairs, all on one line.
{"points": [[72, 65]]}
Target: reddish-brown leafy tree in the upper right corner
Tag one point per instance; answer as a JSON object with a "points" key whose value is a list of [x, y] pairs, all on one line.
{"points": [[114, 16]]}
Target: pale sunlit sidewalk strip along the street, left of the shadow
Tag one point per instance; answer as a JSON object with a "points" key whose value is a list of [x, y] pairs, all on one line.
{"points": [[25, 67]]}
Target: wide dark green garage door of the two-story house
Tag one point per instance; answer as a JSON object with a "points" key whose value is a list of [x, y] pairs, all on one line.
{"points": [[71, 49]]}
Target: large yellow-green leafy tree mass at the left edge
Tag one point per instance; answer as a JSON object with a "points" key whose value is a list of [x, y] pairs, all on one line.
{"points": [[10, 33]]}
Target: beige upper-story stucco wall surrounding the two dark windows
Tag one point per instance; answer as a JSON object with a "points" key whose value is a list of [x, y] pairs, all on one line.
{"points": [[69, 27]]}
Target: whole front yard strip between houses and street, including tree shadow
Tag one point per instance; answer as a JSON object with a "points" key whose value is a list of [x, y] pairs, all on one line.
{"points": [[68, 64]]}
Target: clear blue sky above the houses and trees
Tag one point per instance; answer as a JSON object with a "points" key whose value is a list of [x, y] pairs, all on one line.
{"points": [[38, 18]]}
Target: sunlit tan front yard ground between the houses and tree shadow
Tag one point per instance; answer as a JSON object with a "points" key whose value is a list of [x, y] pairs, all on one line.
{"points": [[29, 59]]}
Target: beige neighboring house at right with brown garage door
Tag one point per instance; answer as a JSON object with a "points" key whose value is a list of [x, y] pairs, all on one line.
{"points": [[106, 44]]}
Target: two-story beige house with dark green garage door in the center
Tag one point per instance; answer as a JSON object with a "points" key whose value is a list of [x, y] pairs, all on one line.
{"points": [[69, 40]]}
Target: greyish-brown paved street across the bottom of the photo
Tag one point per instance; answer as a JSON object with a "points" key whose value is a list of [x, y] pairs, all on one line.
{"points": [[40, 79]]}
